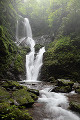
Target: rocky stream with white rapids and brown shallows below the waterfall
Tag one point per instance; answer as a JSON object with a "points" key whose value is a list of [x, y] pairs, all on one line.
{"points": [[50, 105]]}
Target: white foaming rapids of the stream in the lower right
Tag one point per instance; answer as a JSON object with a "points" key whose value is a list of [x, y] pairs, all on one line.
{"points": [[56, 106]]}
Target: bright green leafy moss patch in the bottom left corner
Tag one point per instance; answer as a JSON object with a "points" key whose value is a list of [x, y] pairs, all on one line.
{"points": [[13, 113]]}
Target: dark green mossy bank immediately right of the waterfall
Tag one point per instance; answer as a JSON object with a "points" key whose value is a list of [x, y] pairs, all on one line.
{"points": [[62, 60]]}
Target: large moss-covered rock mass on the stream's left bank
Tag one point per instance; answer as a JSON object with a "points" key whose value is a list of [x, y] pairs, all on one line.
{"points": [[14, 98]]}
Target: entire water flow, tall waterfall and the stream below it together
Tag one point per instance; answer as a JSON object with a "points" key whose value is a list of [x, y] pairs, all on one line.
{"points": [[50, 105]]}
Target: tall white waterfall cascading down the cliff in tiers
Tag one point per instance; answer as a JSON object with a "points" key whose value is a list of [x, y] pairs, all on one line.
{"points": [[33, 63]]}
